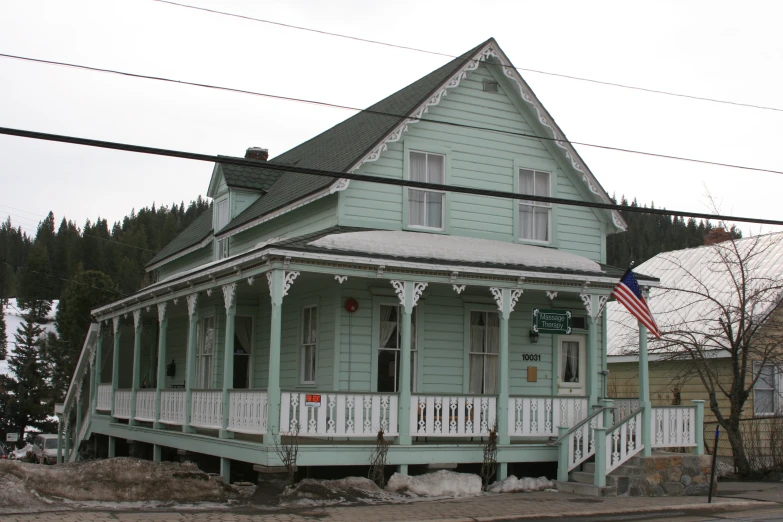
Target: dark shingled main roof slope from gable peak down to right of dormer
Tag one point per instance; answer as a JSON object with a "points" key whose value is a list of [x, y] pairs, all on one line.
{"points": [[341, 147]]}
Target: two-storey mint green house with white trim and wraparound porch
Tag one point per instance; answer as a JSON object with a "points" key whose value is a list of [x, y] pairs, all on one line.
{"points": [[336, 309]]}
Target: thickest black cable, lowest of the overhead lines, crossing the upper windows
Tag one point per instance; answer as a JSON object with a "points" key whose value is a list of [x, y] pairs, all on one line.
{"points": [[371, 179]]}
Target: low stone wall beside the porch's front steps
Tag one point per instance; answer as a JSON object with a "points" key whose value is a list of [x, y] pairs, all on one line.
{"points": [[667, 475]]}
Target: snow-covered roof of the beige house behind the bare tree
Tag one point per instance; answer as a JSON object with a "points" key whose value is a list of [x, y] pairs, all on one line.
{"points": [[697, 268]]}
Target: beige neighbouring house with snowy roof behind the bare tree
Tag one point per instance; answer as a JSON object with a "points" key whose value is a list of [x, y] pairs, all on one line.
{"points": [[673, 380]]}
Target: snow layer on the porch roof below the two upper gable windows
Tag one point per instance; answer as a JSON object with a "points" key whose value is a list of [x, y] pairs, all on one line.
{"points": [[454, 248]]}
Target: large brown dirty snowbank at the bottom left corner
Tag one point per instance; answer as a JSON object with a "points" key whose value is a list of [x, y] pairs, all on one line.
{"points": [[113, 480]]}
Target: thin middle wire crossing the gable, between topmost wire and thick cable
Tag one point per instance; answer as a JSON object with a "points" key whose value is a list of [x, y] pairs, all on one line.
{"points": [[382, 113]]}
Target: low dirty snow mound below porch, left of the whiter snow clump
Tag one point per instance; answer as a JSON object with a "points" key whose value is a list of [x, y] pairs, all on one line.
{"points": [[311, 492]]}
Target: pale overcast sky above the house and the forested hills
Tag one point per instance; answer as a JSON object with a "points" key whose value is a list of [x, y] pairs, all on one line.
{"points": [[722, 50]]}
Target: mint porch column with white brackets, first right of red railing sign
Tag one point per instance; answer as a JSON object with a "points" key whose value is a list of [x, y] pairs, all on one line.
{"points": [[409, 293]]}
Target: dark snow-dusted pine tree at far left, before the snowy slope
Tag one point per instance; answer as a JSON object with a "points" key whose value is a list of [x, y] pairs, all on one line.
{"points": [[32, 405]]}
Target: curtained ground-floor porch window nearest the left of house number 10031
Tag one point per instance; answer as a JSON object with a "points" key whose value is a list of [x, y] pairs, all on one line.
{"points": [[484, 342]]}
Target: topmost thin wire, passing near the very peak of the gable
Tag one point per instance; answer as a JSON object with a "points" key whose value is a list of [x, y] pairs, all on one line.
{"points": [[537, 71]]}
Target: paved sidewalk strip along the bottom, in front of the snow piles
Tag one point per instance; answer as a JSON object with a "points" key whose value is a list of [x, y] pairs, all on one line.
{"points": [[485, 508]]}
